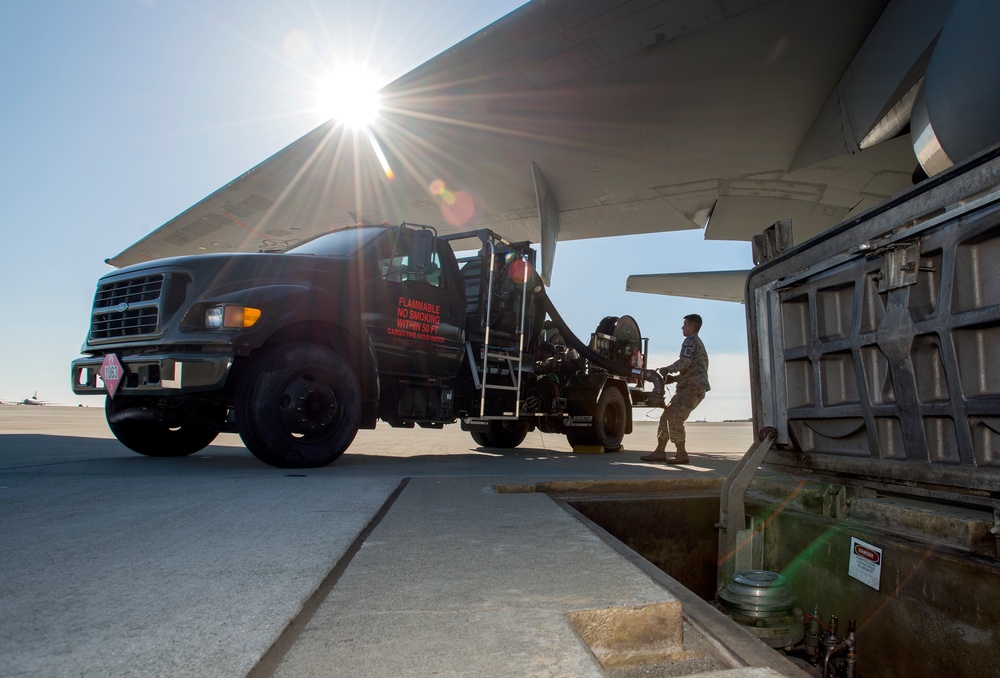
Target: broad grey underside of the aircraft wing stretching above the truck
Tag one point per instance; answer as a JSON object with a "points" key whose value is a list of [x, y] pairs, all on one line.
{"points": [[642, 116]]}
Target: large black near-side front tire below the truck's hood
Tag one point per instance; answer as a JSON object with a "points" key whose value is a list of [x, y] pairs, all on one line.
{"points": [[298, 406]]}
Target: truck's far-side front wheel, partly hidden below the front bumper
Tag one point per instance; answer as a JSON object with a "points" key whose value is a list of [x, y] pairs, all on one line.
{"points": [[156, 438]]}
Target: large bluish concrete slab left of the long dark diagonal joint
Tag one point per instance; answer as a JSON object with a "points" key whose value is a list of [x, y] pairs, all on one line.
{"points": [[171, 569]]}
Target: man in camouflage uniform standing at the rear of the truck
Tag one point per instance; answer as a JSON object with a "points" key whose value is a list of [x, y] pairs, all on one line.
{"points": [[692, 383]]}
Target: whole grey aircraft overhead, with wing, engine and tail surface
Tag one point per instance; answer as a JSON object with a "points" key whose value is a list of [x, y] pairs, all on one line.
{"points": [[571, 119]]}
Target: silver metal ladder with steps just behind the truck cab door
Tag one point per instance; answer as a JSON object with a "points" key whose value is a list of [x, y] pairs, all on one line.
{"points": [[499, 368]]}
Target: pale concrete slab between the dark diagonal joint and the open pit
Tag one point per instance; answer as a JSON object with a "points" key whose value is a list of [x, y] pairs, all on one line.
{"points": [[455, 565]]}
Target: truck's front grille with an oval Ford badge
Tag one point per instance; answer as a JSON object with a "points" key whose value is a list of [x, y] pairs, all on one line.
{"points": [[127, 308]]}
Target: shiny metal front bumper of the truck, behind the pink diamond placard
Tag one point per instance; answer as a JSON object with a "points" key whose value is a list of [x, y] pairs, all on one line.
{"points": [[155, 375]]}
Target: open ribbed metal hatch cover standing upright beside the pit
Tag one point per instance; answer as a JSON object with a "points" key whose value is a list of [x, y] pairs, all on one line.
{"points": [[875, 348]]}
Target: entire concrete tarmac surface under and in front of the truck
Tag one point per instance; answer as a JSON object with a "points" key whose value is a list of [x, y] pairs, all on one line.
{"points": [[219, 565]]}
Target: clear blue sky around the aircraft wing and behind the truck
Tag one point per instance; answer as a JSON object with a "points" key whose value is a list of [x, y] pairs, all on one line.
{"points": [[119, 114]]}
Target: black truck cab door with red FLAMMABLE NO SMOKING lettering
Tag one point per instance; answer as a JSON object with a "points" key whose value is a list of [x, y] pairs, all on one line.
{"points": [[415, 320]]}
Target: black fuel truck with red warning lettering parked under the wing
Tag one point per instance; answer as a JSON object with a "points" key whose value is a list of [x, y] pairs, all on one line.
{"points": [[297, 351]]}
